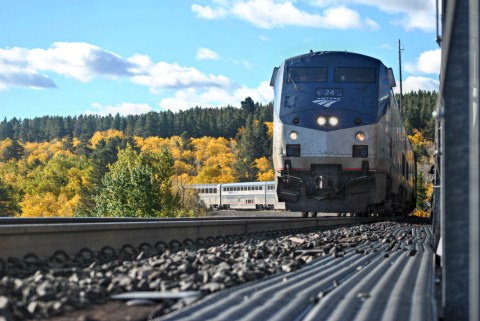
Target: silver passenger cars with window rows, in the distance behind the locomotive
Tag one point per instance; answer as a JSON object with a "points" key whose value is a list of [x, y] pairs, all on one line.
{"points": [[239, 196]]}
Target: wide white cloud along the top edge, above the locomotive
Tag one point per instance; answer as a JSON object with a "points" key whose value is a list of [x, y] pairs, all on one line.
{"points": [[268, 14]]}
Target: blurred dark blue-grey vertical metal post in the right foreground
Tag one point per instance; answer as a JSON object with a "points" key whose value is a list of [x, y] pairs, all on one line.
{"points": [[455, 162]]}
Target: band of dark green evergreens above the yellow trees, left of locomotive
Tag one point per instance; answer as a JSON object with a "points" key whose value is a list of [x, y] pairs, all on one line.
{"points": [[195, 122]]}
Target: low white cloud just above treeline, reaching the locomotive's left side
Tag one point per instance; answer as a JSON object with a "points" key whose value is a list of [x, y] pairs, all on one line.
{"points": [[215, 97]]}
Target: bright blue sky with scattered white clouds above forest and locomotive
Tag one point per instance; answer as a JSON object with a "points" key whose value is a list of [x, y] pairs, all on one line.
{"points": [[77, 57]]}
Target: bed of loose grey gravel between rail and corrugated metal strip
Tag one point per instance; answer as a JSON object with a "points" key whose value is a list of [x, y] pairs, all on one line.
{"points": [[39, 290]]}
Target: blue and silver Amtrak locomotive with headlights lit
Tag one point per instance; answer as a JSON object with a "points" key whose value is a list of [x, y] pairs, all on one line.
{"points": [[339, 143]]}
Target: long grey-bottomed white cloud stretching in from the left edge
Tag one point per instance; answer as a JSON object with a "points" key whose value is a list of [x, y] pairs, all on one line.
{"points": [[21, 67]]}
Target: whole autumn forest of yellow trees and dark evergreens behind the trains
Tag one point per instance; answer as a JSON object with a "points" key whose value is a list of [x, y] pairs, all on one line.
{"points": [[141, 165]]}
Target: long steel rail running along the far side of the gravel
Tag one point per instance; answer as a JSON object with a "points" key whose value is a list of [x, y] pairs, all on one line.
{"points": [[45, 236]]}
